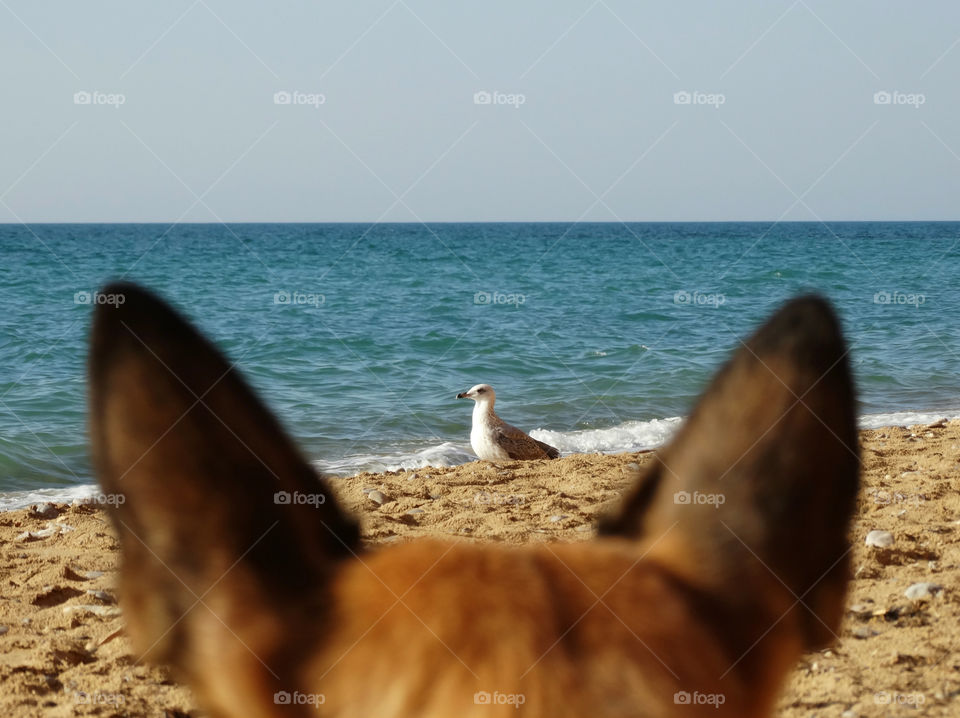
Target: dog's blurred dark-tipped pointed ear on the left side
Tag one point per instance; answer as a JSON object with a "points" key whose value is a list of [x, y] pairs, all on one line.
{"points": [[213, 496]]}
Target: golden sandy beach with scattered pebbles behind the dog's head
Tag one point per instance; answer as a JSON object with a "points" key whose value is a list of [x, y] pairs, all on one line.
{"points": [[63, 651]]}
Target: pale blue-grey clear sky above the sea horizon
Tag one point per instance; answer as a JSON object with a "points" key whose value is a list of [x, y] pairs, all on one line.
{"points": [[399, 137]]}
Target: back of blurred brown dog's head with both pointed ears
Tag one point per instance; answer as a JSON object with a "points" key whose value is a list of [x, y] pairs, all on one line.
{"points": [[247, 597]]}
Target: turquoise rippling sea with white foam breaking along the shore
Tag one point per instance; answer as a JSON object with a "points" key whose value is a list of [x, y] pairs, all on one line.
{"points": [[593, 333]]}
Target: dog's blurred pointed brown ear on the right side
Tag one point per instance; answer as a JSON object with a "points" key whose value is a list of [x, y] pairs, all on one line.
{"points": [[769, 456]]}
